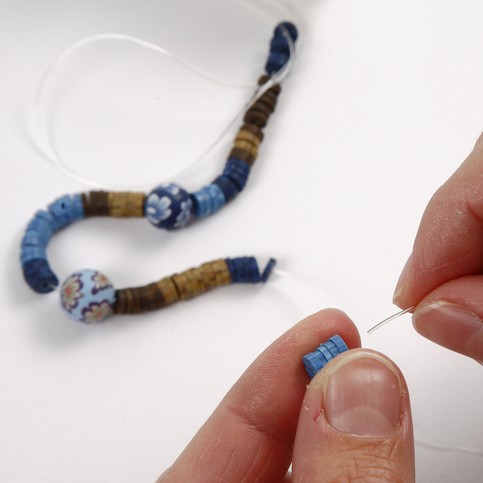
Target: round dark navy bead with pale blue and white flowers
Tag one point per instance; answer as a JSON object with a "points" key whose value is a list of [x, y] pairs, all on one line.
{"points": [[168, 206]]}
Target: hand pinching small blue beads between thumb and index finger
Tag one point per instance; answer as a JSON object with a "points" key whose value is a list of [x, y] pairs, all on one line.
{"points": [[352, 422]]}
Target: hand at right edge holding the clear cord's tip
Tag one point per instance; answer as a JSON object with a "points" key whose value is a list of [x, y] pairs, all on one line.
{"points": [[443, 277]]}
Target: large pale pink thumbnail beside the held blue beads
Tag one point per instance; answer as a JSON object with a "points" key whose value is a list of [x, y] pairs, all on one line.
{"points": [[363, 396]]}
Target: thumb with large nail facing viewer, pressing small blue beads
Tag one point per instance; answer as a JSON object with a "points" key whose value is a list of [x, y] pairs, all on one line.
{"points": [[355, 423]]}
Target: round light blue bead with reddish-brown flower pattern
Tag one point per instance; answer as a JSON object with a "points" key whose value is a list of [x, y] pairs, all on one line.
{"points": [[87, 296]]}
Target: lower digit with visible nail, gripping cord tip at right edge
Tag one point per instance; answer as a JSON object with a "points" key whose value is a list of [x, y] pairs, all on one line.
{"points": [[451, 326]]}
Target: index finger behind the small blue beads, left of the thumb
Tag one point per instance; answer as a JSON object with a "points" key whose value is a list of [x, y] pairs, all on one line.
{"points": [[250, 435]]}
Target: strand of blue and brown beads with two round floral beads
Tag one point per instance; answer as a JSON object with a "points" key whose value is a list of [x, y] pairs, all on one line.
{"points": [[88, 295]]}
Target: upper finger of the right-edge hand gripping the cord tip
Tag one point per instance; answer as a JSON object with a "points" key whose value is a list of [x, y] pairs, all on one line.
{"points": [[449, 242]]}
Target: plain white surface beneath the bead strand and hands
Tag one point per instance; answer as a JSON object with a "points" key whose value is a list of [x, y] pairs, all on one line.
{"points": [[384, 103]]}
